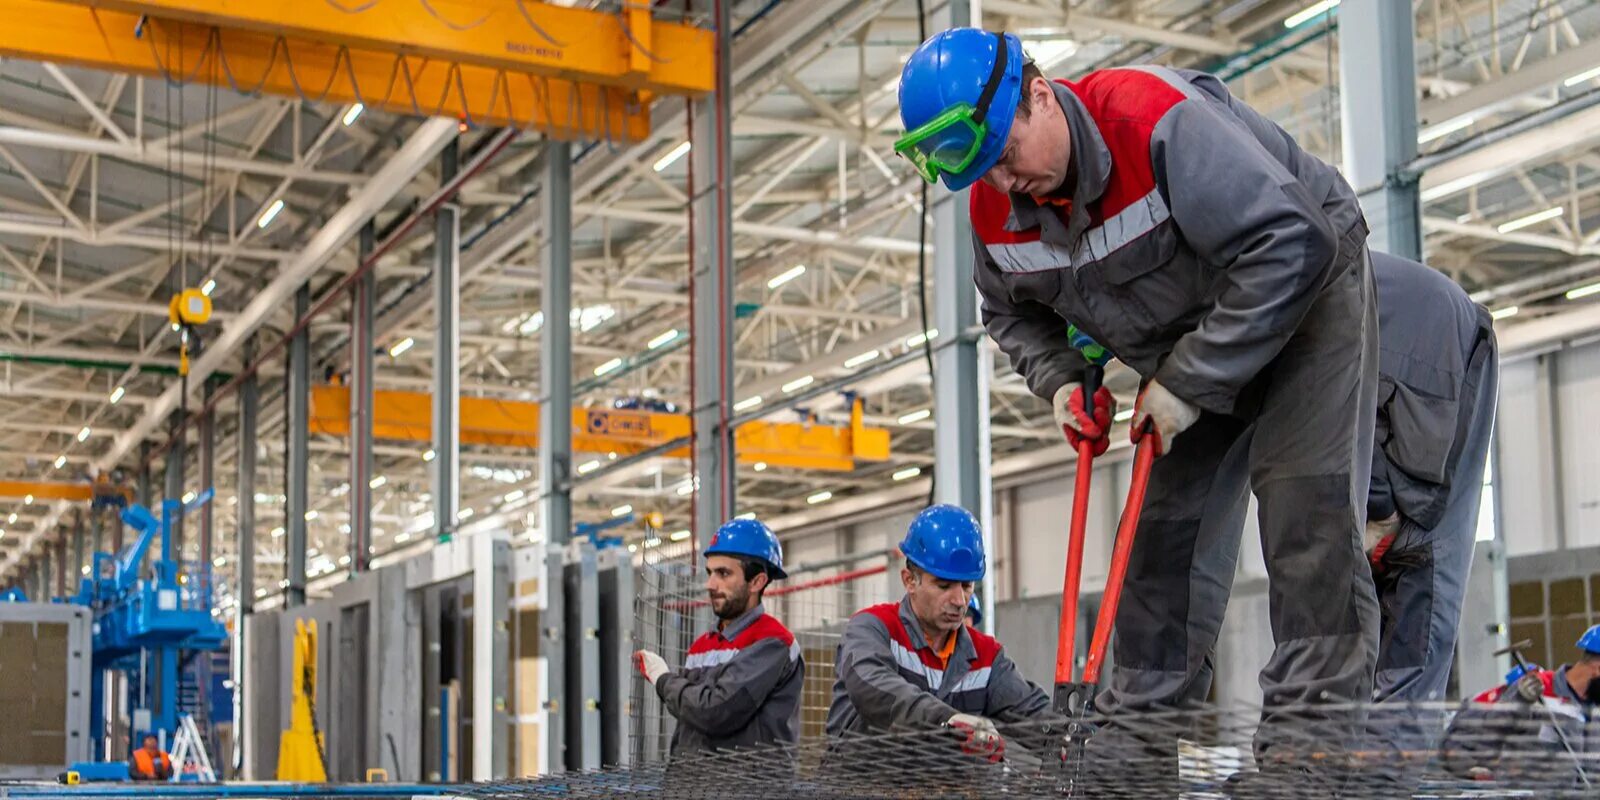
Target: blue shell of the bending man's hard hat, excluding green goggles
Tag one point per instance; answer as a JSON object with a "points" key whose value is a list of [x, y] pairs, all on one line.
{"points": [[953, 68]]}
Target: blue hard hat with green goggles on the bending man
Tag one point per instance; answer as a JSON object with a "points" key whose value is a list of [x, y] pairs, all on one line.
{"points": [[970, 70]]}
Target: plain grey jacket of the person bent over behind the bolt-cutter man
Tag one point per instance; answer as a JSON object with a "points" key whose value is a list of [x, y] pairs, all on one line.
{"points": [[1436, 348]]}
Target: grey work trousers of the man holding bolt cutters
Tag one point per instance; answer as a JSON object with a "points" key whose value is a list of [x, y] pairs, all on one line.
{"points": [[1306, 454]]}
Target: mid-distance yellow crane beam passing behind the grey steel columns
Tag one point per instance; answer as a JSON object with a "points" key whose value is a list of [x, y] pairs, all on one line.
{"points": [[510, 423]]}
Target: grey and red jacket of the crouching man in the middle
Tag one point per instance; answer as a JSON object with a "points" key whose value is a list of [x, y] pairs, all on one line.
{"points": [[889, 678]]}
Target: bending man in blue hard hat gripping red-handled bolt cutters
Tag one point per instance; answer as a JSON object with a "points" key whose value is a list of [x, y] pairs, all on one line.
{"points": [[1209, 252]]}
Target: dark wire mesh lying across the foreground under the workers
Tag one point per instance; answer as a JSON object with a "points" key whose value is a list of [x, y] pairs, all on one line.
{"points": [[1324, 751]]}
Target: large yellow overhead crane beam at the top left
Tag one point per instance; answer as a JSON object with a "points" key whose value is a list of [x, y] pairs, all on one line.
{"points": [[609, 100]]}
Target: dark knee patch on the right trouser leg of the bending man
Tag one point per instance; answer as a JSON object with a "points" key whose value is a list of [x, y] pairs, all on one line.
{"points": [[1311, 545]]}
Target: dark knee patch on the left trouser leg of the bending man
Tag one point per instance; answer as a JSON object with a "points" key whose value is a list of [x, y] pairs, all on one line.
{"points": [[1154, 614]]}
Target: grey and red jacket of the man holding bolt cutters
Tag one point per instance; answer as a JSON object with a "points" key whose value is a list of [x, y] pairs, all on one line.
{"points": [[1191, 238]]}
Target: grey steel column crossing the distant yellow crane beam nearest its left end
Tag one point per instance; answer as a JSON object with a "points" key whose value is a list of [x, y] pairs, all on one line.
{"points": [[362, 348]]}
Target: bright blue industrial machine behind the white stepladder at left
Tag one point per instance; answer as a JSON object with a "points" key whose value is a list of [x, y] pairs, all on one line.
{"points": [[145, 628]]}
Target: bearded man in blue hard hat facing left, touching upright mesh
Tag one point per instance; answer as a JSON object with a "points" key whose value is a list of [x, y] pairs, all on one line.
{"points": [[740, 684]]}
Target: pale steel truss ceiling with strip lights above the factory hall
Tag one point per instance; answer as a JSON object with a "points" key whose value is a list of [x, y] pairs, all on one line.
{"points": [[116, 190]]}
